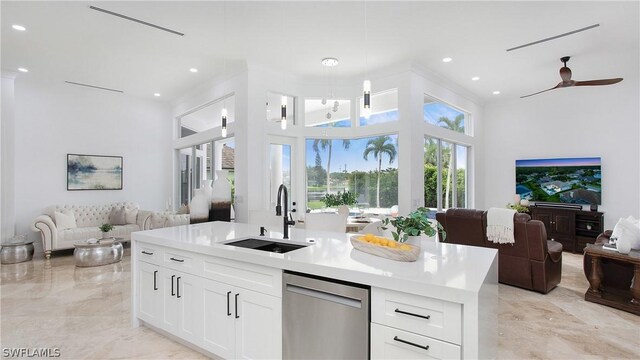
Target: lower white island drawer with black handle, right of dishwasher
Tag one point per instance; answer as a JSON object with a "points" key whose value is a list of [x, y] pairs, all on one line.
{"points": [[390, 343]]}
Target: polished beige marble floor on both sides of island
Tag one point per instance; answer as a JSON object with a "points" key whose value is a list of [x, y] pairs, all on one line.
{"points": [[84, 312]]}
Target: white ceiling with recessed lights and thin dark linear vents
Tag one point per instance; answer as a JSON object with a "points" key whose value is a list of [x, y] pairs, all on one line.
{"points": [[68, 41]]}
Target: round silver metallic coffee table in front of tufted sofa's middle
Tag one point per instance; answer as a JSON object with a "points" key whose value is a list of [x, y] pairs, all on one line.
{"points": [[103, 252]]}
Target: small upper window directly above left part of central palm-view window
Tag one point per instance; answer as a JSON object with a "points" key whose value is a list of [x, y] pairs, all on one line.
{"points": [[327, 112]]}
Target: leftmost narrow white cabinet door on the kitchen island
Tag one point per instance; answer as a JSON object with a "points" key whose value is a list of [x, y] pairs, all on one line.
{"points": [[149, 304]]}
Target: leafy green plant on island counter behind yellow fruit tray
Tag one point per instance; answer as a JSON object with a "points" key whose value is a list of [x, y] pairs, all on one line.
{"points": [[415, 224]]}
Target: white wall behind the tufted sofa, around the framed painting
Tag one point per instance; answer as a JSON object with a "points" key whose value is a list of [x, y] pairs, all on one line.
{"points": [[54, 119]]}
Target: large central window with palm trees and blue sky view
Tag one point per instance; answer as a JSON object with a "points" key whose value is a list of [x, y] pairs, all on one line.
{"points": [[366, 167]]}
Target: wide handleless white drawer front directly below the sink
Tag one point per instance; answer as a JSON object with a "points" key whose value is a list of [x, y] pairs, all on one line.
{"points": [[262, 279]]}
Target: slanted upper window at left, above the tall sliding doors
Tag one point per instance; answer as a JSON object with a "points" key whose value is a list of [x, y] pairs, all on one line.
{"points": [[208, 116]]}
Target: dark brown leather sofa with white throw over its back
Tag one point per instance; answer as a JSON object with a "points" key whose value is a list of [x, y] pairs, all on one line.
{"points": [[532, 262]]}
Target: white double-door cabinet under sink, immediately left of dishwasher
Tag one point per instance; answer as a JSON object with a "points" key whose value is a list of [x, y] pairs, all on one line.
{"points": [[241, 323]]}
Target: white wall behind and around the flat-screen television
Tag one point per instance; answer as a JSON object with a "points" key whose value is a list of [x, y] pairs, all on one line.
{"points": [[575, 122]]}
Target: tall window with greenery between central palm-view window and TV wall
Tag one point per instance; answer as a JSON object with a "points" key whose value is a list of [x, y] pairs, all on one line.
{"points": [[445, 174]]}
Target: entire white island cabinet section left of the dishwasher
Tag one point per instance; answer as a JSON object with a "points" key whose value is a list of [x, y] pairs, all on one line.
{"points": [[206, 301]]}
